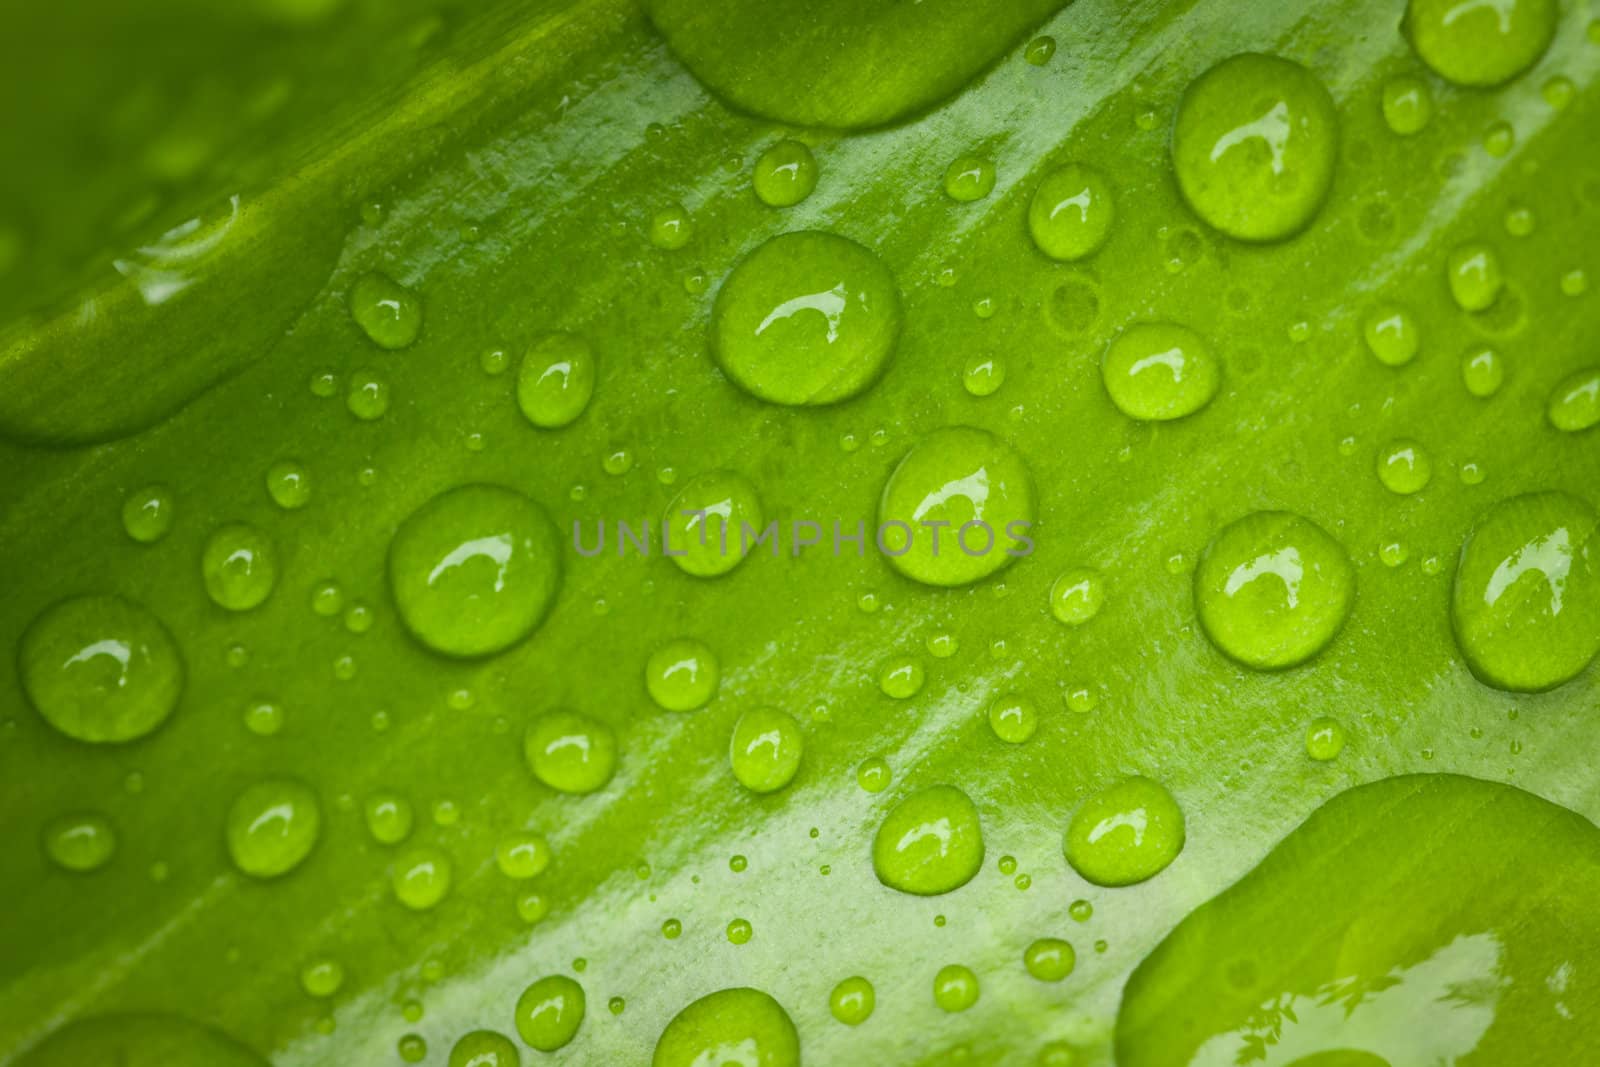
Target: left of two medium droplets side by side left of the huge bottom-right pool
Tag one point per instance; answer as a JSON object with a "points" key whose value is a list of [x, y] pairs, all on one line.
{"points": [[930, 842]]}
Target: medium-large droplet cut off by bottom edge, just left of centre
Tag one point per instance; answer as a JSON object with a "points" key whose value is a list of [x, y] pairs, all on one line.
{"points": [[743, 1023]]}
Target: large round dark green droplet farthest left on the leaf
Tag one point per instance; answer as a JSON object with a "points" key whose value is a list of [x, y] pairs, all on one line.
{"points": [[102, 669]]}
